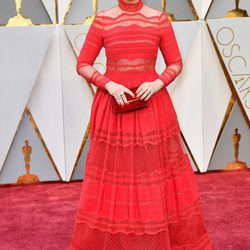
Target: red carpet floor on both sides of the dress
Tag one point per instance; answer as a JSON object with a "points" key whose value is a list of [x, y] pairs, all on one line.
{"points": [[42, 216]]}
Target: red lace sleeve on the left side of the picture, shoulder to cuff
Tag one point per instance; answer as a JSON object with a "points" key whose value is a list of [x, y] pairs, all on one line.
{"points": [[89, 51]]}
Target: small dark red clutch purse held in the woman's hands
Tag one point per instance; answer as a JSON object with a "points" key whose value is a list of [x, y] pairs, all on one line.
{"points": [[133, 103]]}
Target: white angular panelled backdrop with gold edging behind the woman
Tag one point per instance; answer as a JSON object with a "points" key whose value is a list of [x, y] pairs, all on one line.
{"points": [[38, 74]]}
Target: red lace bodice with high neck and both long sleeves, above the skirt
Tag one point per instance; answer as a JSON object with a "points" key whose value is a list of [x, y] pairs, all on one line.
{"points": [[131, 35]]}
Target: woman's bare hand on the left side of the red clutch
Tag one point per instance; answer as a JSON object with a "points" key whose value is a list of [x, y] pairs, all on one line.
{"points": [[115, 89]]}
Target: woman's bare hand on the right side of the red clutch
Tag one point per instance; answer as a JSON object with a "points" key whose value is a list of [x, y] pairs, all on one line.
{"points": [[147, 89]]}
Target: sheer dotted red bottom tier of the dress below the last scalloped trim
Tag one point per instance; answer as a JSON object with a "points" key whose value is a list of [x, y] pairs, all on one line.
{"points": [[97, 239]]}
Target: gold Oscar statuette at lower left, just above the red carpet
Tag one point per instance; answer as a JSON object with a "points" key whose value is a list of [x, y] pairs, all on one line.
{"points": [[28, 177]]}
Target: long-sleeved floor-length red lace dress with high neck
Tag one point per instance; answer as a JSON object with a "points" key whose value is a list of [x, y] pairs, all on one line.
{"points": [[139, 191]]}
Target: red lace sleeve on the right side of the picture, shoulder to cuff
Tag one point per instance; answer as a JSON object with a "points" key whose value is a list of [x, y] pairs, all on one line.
{"points": [[170, 50]]}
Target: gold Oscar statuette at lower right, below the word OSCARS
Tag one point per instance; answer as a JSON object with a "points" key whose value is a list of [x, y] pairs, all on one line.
{"points": [[236, 164]]}
